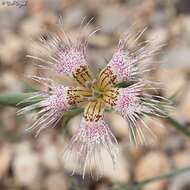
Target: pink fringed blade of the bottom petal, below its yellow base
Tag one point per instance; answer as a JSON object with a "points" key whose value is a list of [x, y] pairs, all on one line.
{"points": [[85, 147]]}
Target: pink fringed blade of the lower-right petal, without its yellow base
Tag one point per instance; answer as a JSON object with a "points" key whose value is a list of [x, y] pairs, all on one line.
{"points": [[133, 104]]}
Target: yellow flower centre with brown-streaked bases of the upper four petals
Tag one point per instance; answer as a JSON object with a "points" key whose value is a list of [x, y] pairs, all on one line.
{"points": [[92, 89]]}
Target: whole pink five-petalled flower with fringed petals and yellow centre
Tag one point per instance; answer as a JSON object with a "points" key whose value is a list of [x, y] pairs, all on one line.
{"points": [[96, 94]]}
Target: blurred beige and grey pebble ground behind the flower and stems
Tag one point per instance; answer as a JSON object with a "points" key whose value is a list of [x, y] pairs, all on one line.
{"points": [[36, 163]]}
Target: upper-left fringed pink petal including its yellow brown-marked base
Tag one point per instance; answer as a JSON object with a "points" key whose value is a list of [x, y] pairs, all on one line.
{"points": [[65, 55]]}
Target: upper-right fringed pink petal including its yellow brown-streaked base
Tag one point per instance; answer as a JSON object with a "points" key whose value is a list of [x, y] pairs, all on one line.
{"points": [[127, 63]]}
